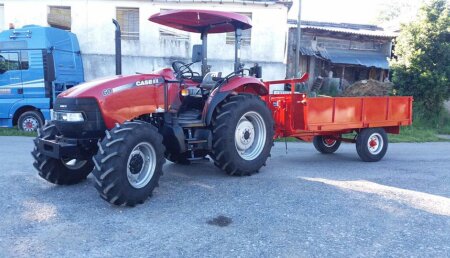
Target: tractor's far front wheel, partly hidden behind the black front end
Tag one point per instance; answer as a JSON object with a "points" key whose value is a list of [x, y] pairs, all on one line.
{"points": [[59, 171]]}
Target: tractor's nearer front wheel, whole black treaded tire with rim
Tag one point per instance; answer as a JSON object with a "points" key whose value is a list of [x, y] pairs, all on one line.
{"points": [[129, 163]]}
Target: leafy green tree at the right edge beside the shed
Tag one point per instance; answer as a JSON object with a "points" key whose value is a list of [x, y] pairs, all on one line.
{"points": [[422, 68]]}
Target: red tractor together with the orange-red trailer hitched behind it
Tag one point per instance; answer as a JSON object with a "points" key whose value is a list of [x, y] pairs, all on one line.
{"points": [[123, 128]]}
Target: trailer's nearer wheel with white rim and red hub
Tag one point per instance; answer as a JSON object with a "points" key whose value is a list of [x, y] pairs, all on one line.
{"points": [[371, 144]]}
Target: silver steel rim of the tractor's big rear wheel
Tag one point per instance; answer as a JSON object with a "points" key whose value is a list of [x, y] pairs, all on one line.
{"points": [[250, 135]]}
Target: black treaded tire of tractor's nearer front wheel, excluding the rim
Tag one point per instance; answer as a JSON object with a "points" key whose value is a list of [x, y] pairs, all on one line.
{"points": [[110, 163]]}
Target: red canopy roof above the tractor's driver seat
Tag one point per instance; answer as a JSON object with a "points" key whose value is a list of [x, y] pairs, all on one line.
{"points": [[201, 21]]}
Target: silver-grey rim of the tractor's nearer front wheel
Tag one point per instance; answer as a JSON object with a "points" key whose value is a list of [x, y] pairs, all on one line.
{"points": [[139, 175]]}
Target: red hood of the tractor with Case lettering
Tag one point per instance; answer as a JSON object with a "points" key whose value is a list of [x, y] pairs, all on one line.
{"points": [[122, 98]]}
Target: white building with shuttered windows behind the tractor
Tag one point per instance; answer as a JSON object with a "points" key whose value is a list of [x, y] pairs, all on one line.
{"points": [[147, 46]]}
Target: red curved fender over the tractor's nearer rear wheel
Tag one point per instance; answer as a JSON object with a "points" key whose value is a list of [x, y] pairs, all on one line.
{"points": [[233, 87]]}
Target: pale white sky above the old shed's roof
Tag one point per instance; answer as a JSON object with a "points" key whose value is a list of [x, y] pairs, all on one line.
{"points": [[350, 11]]}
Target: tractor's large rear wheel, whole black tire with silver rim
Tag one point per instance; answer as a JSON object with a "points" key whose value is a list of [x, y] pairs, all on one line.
{"points": [[242, 135]]}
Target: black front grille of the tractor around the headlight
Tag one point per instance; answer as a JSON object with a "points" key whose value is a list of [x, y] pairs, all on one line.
{"points": [[92, 127]]}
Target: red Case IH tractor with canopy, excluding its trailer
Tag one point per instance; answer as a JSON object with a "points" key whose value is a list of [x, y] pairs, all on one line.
{"points": [[123, 128]]}
